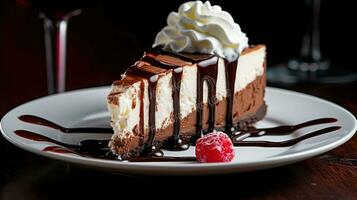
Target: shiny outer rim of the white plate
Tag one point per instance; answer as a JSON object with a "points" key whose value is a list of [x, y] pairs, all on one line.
{"points": [[191, 168]]}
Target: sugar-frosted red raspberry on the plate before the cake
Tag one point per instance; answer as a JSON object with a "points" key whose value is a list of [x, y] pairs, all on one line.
{"points": [[214, 147]]}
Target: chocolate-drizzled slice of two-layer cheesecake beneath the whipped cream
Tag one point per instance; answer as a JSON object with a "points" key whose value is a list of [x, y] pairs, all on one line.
{"points": [[167, 98]]}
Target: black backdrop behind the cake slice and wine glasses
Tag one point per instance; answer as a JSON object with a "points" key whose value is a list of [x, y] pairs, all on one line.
{"points": [[109, 36]]}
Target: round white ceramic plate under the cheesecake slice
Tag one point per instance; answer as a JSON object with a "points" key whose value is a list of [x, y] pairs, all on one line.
{"points": [[87, 107]]}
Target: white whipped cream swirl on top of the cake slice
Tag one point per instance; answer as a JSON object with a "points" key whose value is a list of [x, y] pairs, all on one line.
{"points": [[201, 28]]}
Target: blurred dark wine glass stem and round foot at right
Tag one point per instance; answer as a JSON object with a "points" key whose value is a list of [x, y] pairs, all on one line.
{"points": [[310, 65]]}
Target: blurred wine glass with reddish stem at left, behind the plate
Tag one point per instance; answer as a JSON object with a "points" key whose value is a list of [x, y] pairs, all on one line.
{"points": [[55, 15]]}
